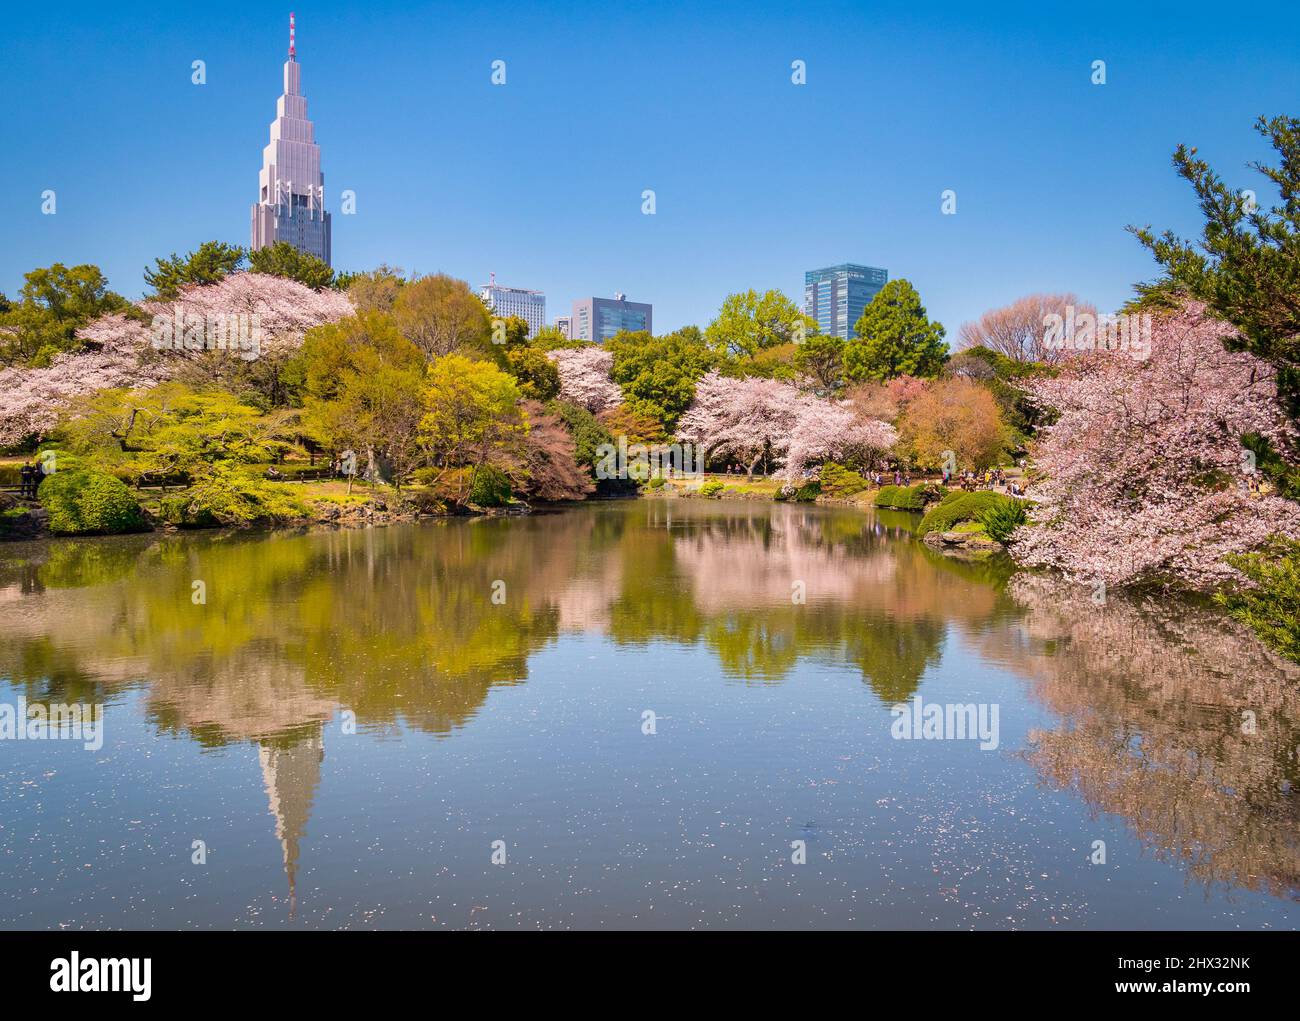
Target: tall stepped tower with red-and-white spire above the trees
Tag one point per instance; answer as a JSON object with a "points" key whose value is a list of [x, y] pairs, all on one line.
{"points": [[292, 188]]}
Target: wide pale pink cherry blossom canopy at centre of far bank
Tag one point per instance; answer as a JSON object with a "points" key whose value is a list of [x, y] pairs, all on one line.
{"points": [[746, 418]]}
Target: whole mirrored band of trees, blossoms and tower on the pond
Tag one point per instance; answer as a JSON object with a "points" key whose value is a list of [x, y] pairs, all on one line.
{"points": [[398, 626]]}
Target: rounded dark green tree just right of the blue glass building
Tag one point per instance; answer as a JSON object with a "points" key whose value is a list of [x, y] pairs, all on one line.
{"points": [[895, 338]]}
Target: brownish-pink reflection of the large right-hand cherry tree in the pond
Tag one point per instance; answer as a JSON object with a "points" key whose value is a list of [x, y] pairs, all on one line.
{"points": [[1151, 699]]}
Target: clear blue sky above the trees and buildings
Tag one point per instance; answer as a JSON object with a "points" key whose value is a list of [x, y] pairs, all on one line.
{"points": [[540, 180]]}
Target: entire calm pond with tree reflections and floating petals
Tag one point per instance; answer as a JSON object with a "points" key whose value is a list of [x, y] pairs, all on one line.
{"points": [[660, 713]]}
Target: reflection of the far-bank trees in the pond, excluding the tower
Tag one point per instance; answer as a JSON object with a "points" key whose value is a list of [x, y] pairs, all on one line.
{"points": [[398, 624]]}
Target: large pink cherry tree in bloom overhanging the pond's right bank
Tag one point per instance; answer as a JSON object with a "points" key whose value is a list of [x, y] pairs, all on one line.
{"points": [[1146, 477]]}
